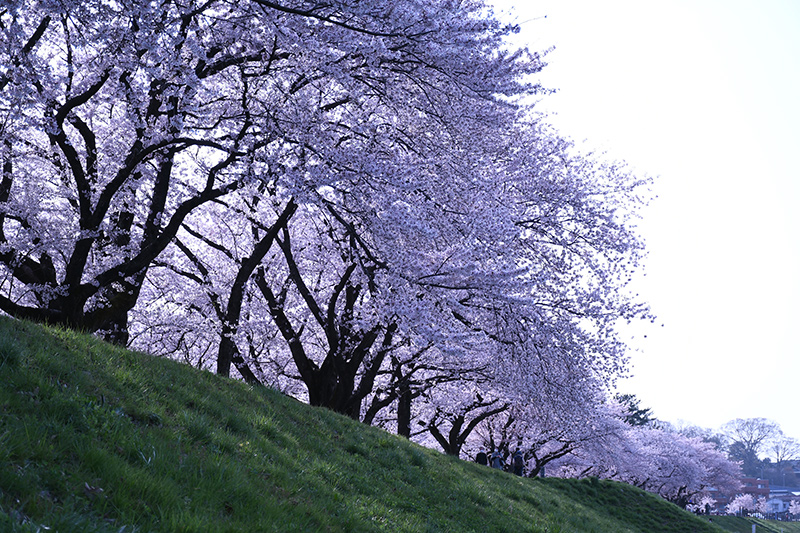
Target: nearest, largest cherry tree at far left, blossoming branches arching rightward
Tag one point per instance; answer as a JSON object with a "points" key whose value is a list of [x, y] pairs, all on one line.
{"points": [[122, 118]]}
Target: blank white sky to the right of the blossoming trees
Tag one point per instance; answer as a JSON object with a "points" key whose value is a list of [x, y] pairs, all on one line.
{"points": [[704, 95]]}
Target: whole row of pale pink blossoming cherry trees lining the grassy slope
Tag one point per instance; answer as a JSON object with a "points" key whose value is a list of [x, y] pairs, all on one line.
{"points": [[352, 202]]}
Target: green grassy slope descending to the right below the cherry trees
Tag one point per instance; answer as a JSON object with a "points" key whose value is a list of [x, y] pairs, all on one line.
{"points": [[95, 438]]}
